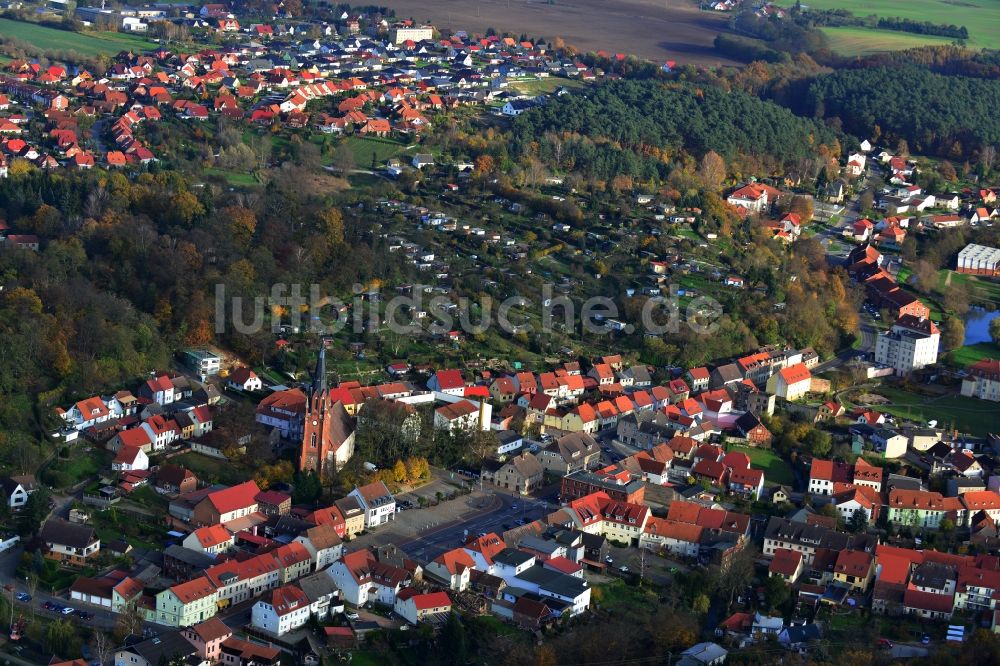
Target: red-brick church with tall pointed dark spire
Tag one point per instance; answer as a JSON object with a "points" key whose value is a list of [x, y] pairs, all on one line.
{"points": [[328, 430]]}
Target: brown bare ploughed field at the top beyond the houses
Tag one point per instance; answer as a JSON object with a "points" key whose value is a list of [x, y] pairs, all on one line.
{"points": [[656, 29]]}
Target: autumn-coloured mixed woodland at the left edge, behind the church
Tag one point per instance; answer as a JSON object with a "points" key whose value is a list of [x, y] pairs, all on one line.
{"points": [[130, 272]]}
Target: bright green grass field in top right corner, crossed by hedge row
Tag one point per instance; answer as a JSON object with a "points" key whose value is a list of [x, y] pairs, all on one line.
{"points": [[980, 17]]}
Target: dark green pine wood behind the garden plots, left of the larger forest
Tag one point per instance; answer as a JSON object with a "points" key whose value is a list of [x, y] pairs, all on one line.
{"points": [[635, 129]]}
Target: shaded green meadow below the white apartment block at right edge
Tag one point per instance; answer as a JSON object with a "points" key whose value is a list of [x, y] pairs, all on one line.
{"points": [[969, 415]]}
